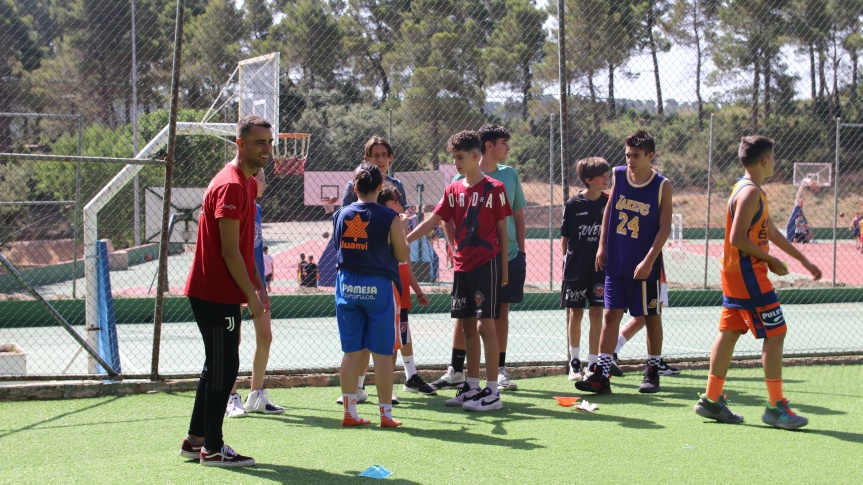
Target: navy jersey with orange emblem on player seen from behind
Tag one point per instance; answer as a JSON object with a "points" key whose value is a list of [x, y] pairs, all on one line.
{"points": [[361, 235]]}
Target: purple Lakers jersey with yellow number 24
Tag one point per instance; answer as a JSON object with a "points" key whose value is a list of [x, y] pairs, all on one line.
{"points": [[633, 224]]}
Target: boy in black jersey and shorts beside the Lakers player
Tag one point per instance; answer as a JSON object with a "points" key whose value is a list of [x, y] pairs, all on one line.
{"points": [[579, 239]]}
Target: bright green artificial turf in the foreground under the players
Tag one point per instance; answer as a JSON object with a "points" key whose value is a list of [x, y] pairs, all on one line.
{"points": [[631, 438]]}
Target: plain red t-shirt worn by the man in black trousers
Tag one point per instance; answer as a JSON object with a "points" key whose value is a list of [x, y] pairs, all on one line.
{"points": [[230, 195]]}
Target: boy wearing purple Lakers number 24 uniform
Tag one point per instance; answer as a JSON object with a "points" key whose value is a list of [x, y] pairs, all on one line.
{"points": [[635, 226]]}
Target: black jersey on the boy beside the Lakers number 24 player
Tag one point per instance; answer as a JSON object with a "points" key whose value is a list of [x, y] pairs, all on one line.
{"points": [[582, 221]]}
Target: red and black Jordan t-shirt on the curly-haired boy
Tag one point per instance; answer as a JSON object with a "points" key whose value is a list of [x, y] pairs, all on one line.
{"points": [[475, 211]]}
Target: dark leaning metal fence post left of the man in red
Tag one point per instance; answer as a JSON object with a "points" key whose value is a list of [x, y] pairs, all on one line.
{"points": [[166, 200]]}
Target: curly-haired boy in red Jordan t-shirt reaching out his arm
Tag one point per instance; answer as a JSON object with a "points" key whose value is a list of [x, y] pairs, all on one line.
{"points": [[479, 207]]}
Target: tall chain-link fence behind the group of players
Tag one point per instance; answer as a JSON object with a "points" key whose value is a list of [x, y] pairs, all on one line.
{"points": [[93, 79]]}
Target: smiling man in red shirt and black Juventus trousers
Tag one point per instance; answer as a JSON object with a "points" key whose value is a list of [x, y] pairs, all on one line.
{"points": [[223, 277]]}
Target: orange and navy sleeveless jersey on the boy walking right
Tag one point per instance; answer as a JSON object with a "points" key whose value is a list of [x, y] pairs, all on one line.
{"points": [[744, 278]]}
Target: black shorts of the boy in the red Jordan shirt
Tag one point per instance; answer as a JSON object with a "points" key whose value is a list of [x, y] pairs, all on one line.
{"points": [[476, 293]]}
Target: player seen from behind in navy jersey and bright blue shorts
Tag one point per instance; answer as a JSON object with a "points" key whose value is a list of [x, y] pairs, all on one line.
{"points": [[370, 243]]}
